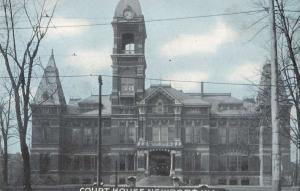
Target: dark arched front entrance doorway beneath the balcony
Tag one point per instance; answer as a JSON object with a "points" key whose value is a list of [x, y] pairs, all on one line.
{"points": [[160, 163]]}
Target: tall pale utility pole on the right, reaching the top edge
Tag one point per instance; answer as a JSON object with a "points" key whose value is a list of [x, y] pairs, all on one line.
{"points": [[276, 164]]}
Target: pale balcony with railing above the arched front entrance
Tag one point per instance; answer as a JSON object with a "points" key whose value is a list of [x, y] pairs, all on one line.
{"points": [[176, 143]]}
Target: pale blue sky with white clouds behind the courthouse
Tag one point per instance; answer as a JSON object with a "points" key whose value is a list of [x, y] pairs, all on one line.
{"points": [[230, 49]]}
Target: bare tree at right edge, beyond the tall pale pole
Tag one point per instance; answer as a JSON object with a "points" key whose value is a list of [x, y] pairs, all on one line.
{"points": [[288, 26]]}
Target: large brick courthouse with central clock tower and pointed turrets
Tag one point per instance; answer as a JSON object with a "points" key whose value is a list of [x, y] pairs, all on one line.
{"points": [[156, 131]]}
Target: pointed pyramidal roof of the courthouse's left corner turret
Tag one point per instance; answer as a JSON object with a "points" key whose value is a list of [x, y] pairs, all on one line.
{"points": [[50, 91]]}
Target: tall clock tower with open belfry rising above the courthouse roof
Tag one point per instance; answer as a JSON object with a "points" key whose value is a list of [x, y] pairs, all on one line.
{"points": [[128, 56]]}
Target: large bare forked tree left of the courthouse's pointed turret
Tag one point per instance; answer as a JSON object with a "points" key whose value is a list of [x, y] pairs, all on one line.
{"points": [[19, 56]]}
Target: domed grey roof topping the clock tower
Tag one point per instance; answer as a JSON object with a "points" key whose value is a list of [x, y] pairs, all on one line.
{"points": [[133, 5]]}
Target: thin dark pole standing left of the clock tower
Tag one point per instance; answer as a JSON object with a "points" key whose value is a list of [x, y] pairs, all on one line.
{"points": [[99, 145]]}
